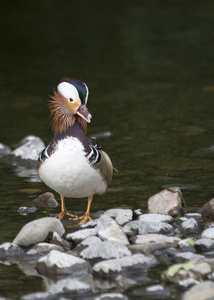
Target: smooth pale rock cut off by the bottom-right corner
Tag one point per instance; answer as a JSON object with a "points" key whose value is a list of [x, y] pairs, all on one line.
{"points": [[201, 291]]}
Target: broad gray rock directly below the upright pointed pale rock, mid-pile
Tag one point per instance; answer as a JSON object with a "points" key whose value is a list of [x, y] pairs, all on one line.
{"points": [[105, 250]]}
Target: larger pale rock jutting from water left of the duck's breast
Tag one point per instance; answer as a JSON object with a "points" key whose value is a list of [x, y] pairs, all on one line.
{"points": [[30, 148]]}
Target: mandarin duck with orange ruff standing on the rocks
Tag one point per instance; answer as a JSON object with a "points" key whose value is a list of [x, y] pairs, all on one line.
{"points": [[72, 164]]}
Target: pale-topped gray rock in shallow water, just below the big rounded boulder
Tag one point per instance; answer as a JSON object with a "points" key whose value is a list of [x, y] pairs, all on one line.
{"points": [[58, 263]]}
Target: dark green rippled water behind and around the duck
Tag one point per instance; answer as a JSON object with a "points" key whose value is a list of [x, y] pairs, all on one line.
{"points": [[149, 66]]}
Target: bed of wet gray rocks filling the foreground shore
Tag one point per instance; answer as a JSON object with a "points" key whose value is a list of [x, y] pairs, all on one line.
{"points": [[118, 256]]}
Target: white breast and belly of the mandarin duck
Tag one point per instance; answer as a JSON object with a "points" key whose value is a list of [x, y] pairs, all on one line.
{"points": [[68, 172]]}
